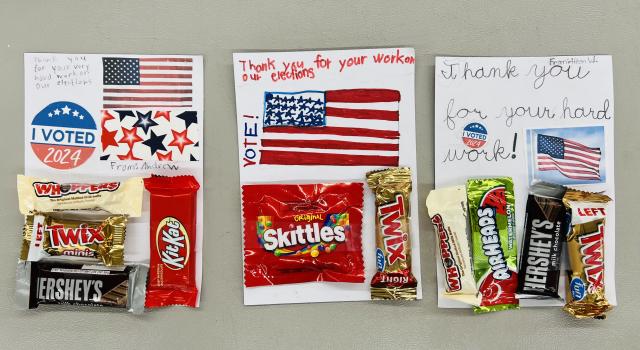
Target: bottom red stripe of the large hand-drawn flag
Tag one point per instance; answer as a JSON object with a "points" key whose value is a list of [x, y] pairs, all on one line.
{"points": [[307, 158]]}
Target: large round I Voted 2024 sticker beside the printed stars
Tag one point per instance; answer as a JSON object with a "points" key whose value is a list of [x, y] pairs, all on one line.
{"points": [[63, 135]]}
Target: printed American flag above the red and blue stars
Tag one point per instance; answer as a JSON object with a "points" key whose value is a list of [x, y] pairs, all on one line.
{"points": [[144, 82]]}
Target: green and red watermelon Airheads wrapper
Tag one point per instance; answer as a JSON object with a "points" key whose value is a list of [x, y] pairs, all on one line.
{"points": [[493, 236]]}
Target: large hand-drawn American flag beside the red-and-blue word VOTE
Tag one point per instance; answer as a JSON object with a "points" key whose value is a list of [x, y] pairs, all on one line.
{"points": [[335, 127]]}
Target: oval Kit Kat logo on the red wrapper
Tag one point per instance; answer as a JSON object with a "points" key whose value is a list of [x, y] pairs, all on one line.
{"points": [[172, 242]]}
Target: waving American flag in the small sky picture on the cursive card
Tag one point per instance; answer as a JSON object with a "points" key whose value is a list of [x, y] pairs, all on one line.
{"points": [[572, 159]]}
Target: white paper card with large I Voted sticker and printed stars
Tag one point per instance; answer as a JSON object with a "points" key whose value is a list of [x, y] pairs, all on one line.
{"points": [[93, 117]]}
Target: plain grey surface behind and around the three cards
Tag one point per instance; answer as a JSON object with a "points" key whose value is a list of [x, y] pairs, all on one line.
{"points": [[216, 29]]}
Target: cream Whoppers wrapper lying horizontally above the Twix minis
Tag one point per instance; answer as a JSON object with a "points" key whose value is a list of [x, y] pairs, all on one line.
{"points": [[42, 195]]}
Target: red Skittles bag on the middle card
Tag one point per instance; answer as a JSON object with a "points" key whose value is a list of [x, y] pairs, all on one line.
{"points": [[302, 233]]}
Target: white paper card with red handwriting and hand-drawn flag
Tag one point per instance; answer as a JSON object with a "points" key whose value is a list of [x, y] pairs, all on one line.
{"points": [[263, 79]]}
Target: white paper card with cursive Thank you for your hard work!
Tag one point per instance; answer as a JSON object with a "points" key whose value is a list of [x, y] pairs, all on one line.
{"points": [[500, 116]]}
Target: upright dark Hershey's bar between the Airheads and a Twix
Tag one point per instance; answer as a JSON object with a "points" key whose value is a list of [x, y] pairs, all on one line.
{"points": [[544, 234]]}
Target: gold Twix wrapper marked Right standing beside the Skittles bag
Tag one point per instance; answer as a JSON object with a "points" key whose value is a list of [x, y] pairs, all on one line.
{"points": [[393, 279]]}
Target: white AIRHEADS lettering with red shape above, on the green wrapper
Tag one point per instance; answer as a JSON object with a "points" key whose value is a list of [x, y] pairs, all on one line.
{"points": [[489, 231]]}
